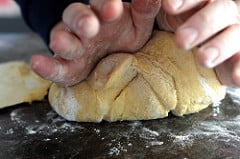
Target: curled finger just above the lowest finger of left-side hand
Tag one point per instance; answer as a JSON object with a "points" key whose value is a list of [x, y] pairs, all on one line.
{"points": [[65, 44]]}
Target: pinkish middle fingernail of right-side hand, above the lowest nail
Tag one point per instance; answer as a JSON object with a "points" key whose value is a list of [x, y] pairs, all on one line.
{"points": [[189, 36]]}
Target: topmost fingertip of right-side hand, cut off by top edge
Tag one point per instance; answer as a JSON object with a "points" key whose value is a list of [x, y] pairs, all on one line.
{"points": [[180, 6]]}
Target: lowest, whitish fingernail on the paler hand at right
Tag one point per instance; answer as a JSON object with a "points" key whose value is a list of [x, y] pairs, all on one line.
{"points": [[211, 54]]}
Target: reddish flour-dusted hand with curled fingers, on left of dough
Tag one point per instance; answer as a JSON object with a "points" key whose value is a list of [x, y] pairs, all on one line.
{"points": [[89, 32]]}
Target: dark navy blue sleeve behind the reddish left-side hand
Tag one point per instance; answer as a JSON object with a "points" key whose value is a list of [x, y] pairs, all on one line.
{"points": [[42, 15]]}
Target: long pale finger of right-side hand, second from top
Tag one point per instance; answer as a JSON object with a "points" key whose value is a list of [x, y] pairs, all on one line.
{"points": [[206, 23]]}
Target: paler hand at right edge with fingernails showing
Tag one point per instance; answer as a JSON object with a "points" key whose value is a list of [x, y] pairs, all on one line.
{"points": [[213, 26]]}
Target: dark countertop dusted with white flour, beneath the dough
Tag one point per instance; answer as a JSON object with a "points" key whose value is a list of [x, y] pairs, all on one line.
{"points": [[35, 131]]}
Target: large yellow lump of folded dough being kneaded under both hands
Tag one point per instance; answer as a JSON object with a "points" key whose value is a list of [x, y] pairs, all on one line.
{"points": [[158, 79]]}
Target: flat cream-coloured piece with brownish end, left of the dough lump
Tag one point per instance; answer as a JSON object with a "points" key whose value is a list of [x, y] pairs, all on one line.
{"points": [[19, 84]]}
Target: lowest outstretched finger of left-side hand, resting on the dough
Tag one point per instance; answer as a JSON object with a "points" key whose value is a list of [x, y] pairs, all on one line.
{"points": [[62, 72]]}
